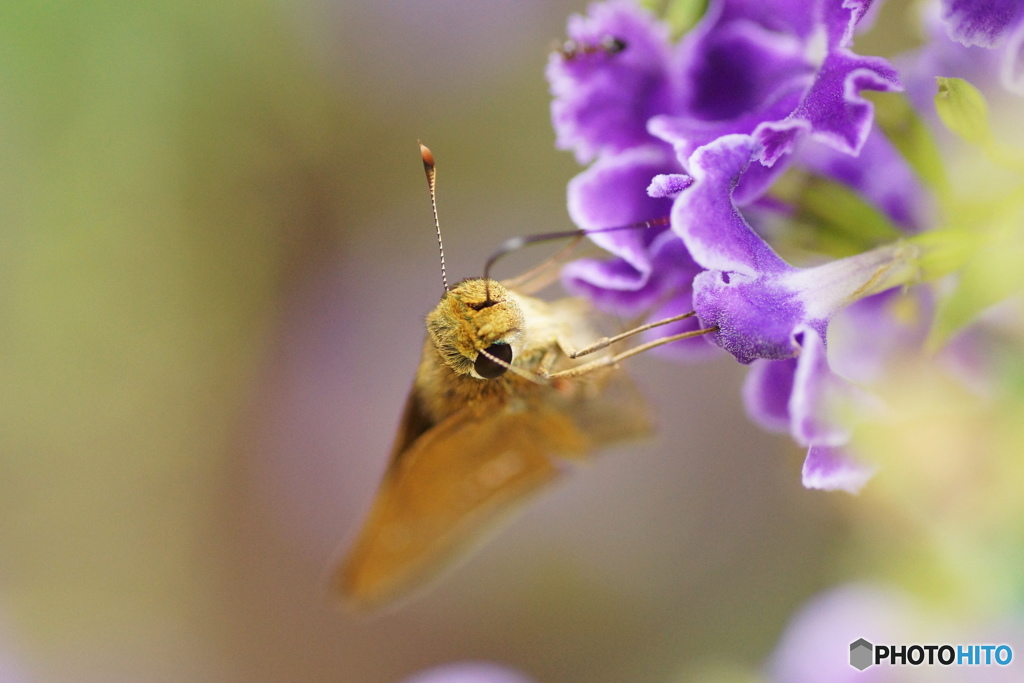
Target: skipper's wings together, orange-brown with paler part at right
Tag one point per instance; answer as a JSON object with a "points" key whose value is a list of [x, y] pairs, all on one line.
{"points": [[449, 483]]}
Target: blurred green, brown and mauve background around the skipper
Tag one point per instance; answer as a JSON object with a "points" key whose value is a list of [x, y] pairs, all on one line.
{"points": [[217, 254]]}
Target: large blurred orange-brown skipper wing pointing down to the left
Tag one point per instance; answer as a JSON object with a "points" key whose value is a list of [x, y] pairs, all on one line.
{"points": [[450, 487]]}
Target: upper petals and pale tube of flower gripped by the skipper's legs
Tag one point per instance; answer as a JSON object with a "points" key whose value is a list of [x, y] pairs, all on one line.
{"points": [[759, 303]]}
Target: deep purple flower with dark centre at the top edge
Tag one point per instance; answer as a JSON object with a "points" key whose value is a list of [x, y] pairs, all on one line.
{"points": [[779, 70]]}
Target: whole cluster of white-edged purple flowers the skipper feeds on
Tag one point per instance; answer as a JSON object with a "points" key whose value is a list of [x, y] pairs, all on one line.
{"points": [[707, 131]]}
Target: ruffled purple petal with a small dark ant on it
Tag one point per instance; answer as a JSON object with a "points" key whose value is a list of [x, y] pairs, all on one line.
{"points": [[603, 101]]}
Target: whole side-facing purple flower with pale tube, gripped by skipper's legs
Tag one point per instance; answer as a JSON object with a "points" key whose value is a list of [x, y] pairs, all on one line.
{"points": [[766, 309]]}
